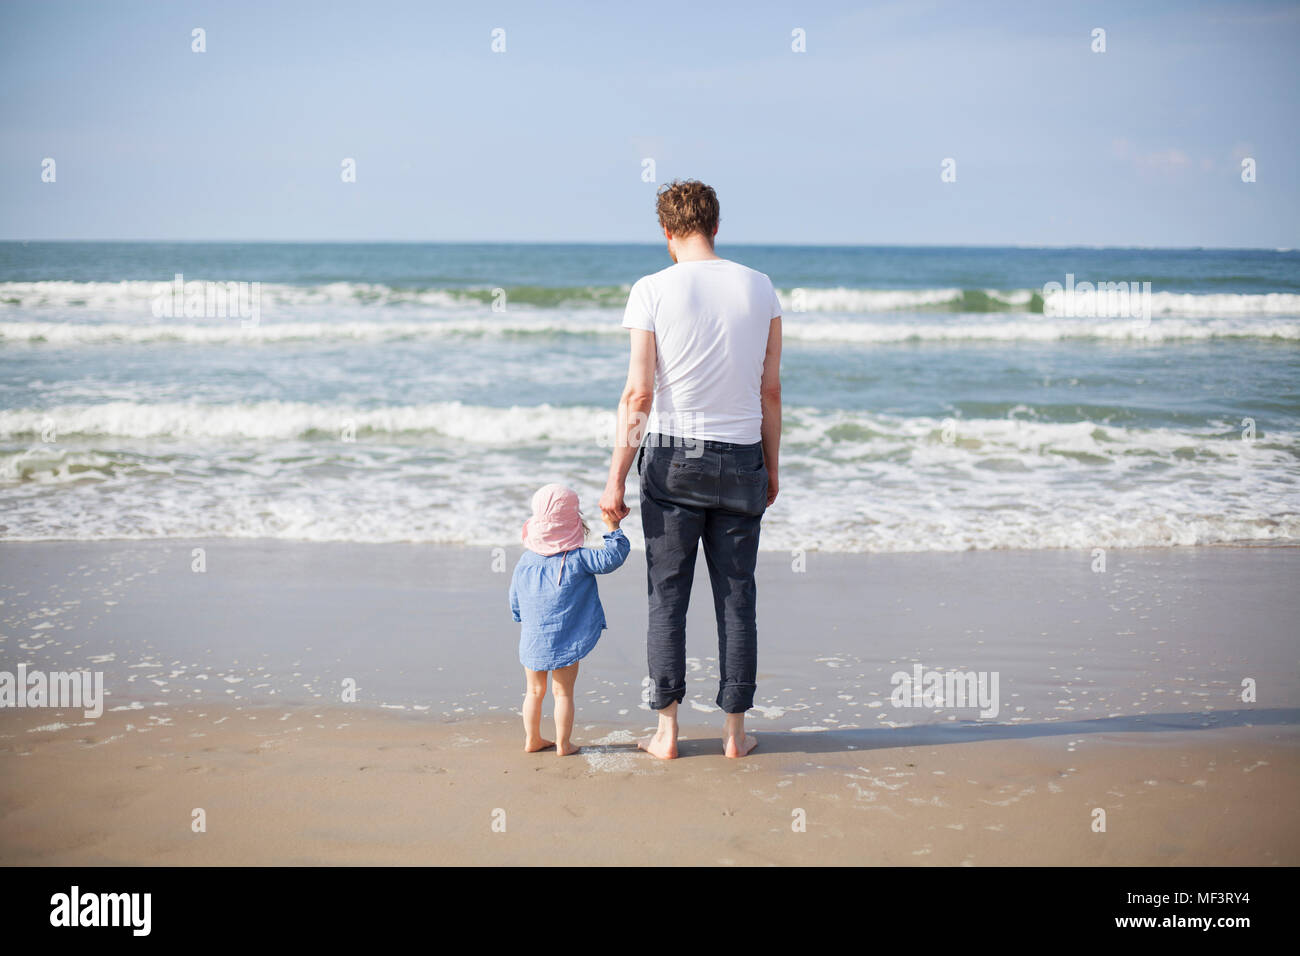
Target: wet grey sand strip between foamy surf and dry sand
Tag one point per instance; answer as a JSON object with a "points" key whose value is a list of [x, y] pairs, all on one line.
{"points": [[428, 629]]}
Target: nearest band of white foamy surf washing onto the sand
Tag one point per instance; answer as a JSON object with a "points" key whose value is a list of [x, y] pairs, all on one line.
{"points": [[856, 482]]}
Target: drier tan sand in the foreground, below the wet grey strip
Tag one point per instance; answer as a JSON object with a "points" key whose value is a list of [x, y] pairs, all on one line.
{"points": [[336, 786]]}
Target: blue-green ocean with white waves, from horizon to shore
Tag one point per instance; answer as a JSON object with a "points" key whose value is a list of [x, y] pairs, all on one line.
{"points": [[937, 400]]}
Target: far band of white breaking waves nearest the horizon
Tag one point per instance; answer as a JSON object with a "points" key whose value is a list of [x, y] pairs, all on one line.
{"points": [[98, 314]]}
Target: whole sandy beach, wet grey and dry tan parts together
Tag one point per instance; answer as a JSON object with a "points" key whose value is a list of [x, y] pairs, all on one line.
{"points": [[1121, 691]]}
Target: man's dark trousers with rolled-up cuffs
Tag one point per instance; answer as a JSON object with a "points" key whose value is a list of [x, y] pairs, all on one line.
{"points": [[716, 492]]}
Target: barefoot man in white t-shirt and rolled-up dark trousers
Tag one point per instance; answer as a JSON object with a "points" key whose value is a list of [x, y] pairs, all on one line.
{"points": [[707, 356]]}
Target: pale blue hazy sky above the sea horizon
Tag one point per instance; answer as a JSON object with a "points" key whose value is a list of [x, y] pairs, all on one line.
{"points": [[1052, 142]]}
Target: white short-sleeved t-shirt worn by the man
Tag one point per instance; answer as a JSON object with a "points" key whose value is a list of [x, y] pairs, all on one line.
{"points": [[710, 321]]}
